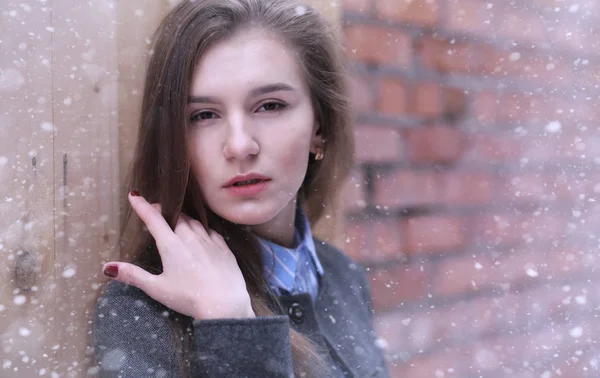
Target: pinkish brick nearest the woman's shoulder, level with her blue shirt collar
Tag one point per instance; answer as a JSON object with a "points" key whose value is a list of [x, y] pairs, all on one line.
{"points": [[373, 240]]}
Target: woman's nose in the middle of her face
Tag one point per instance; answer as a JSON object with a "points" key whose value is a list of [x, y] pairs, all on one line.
{"points": [[240, 143]]}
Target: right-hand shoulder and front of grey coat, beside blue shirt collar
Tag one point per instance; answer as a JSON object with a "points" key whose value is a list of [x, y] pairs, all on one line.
{"points": [[340, 319]]}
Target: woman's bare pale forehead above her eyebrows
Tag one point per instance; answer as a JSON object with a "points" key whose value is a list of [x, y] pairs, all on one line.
{"points": [[244, 61]]}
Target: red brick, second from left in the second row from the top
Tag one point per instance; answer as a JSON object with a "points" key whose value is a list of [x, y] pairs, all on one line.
{"points": [[445, 55]]}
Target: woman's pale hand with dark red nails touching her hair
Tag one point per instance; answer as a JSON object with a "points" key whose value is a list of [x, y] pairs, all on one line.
{"points": [[200, 278]]}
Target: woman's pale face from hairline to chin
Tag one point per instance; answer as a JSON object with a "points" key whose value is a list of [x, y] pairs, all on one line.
{"points": [[251, 117]]}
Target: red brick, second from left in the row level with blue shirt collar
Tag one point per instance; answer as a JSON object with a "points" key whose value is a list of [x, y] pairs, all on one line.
{"points": [[432, 234]]}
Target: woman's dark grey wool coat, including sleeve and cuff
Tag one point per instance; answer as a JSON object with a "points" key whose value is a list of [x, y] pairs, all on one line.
{"points": [[133, 337]]}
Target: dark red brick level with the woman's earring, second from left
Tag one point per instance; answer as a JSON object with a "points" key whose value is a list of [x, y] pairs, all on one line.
{"points": [[434, 145]]}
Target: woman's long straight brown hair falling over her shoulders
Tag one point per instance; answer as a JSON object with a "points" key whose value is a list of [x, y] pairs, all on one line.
{"points": [[160, 169]]}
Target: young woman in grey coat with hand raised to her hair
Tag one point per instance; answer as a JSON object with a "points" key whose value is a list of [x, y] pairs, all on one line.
{"points": [[245, 138]]}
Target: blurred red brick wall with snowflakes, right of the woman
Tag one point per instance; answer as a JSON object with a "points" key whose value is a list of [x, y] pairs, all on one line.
{"points": [[475, 201]]}
